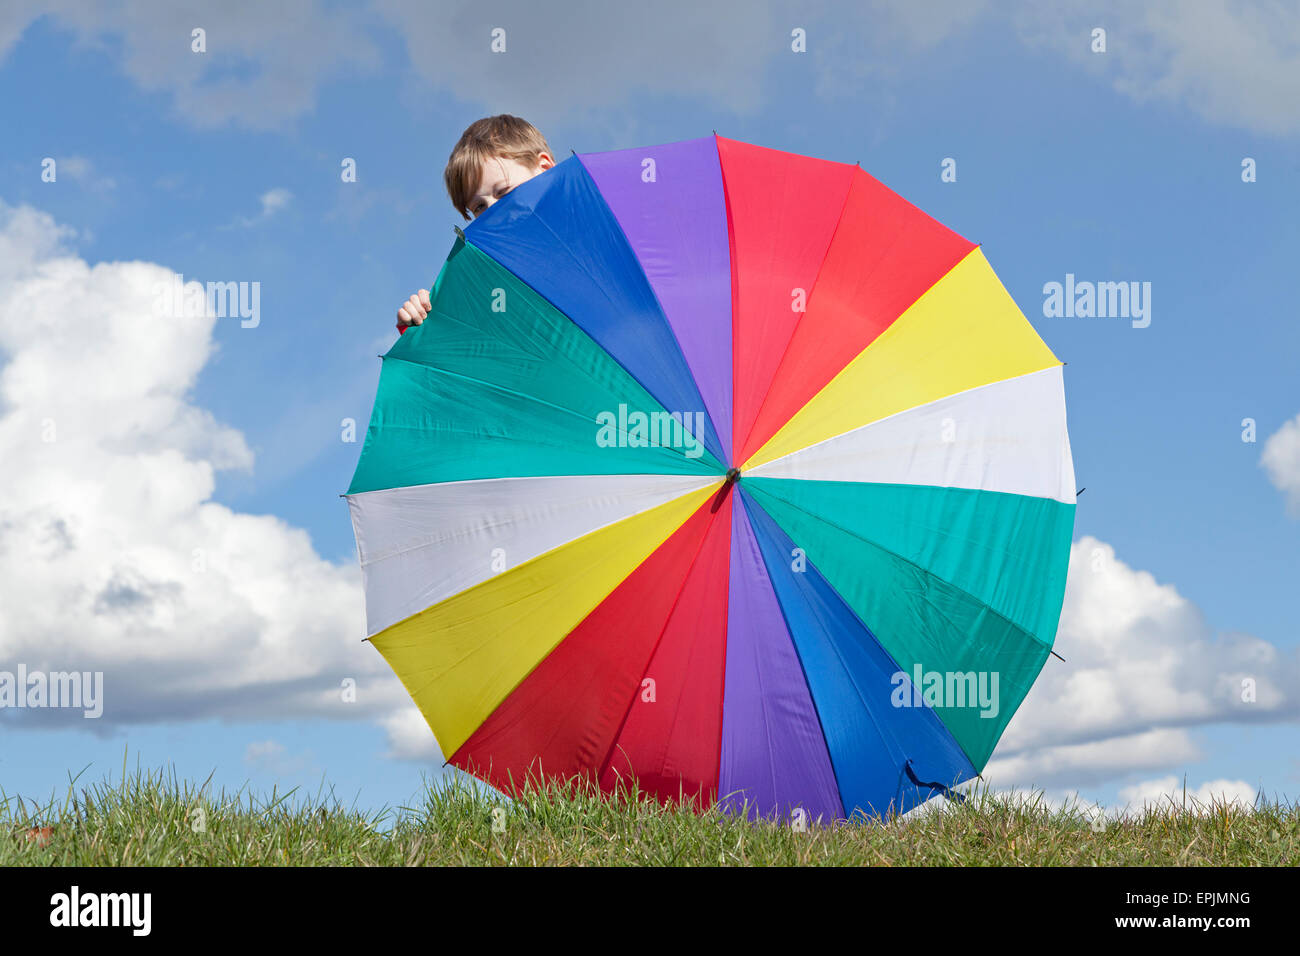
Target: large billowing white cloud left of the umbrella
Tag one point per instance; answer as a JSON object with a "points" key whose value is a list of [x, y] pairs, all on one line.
{"points": [[114, 556]]}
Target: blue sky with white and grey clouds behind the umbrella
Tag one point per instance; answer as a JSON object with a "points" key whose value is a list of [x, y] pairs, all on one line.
{"points": [[170, 507]]}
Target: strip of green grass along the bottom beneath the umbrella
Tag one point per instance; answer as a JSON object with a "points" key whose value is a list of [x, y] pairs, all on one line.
{"points": [[154, 820]]}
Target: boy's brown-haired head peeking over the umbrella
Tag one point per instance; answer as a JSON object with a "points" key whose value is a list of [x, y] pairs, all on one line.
{"points": [[495, 155]]}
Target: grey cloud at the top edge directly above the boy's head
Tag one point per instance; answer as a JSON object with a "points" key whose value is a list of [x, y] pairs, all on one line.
{"points": [[565, 62]]}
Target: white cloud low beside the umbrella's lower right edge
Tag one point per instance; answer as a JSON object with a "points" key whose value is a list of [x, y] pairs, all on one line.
{"points": [[1142, 669]]}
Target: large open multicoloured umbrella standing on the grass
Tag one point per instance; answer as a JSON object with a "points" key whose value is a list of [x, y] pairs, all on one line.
{"points": [[725, 469]]}
